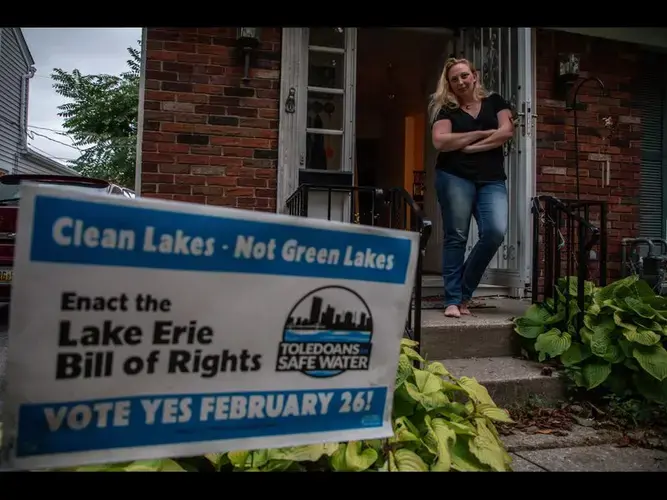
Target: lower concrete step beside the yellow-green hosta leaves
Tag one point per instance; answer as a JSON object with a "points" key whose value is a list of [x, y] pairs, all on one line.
{"points": [[510, 380]]}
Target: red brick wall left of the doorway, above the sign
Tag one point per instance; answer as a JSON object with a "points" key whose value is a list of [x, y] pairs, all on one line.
{"points": [[209, 137]]}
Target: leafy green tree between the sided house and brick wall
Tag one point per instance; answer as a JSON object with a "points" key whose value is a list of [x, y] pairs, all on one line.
{"points": [[101, 118]]}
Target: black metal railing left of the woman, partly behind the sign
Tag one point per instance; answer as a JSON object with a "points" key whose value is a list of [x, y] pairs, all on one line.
{"points": [[393, 208]]}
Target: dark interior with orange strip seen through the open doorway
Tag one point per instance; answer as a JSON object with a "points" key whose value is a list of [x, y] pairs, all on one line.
{"points": [[397, 69]]}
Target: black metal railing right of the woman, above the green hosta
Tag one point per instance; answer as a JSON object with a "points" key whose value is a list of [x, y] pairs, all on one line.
{"points": [[567, 244]]}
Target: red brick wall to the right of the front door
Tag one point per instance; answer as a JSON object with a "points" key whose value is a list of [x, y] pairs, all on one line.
{"points": [[617, 65]]}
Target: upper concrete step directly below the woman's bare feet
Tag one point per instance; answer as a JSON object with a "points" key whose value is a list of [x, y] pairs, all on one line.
{"points": [[488, 332]]}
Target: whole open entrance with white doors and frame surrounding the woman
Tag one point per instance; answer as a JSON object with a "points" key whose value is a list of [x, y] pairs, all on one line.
{"points": [[359, 116]]}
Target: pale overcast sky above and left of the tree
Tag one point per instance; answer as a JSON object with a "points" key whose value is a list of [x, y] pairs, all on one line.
{"points": [[91, 51]]}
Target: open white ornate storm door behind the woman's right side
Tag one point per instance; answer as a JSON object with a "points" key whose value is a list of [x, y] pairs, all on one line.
{"points": [[503, 56]]}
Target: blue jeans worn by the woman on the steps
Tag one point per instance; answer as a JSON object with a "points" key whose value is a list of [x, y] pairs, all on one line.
{"points": [[460, 199]]}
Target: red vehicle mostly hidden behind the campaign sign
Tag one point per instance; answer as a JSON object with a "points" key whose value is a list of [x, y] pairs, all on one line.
{"points": [[9, 199]]}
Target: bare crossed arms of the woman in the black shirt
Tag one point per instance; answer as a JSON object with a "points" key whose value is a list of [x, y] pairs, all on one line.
{"points": [[473, 142]]}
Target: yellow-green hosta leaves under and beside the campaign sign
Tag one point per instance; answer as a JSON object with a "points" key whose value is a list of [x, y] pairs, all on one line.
{"points": [[441, 424]]}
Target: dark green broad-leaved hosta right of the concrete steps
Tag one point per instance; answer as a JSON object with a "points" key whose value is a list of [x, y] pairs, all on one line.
{"points": [[621, 346]]}
